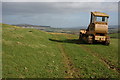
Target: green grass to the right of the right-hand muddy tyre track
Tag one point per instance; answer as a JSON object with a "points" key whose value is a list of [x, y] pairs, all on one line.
{"points": [[110, 52]]}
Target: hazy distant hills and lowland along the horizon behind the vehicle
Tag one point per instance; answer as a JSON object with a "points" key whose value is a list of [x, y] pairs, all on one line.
{"points": [[71, 30]]}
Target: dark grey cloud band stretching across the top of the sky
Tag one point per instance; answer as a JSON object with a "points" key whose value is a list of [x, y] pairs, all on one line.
{"points": [[32, 8]]}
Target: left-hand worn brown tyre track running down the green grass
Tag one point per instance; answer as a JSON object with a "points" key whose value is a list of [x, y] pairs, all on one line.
{"points": [[72, 71]]}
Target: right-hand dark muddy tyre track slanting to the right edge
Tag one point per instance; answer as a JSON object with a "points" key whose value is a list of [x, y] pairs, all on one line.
{"points": [[102, 59]]}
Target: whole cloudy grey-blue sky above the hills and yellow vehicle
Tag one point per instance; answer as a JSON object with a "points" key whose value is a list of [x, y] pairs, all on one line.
{"points": [[56, 14]]}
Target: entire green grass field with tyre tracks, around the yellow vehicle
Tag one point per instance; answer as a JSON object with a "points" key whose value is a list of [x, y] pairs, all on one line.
{"points": [[30, 53]]}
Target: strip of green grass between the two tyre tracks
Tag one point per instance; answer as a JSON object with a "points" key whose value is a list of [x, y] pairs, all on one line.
{"points": [[88, 64]]}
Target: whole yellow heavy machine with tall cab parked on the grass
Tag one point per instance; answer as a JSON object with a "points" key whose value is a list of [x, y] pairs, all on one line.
{"points": [[97, 30]]}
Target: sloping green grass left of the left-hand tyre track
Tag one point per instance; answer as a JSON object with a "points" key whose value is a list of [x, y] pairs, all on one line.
{"points": [[30, 54]]}
